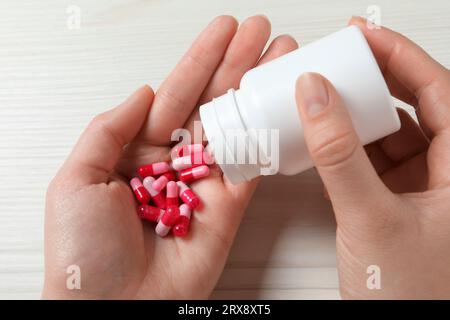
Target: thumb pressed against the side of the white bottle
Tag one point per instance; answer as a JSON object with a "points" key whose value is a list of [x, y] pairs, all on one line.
{"points": [[335, 148]]}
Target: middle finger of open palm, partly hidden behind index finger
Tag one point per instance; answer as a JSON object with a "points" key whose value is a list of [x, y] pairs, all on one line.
{"points": [[242, 54]]}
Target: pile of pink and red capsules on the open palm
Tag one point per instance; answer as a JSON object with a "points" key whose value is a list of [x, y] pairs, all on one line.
{"points": [[160, 185]]}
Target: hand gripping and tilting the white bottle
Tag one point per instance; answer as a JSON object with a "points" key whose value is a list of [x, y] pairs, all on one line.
{"points": [[392, 205]]}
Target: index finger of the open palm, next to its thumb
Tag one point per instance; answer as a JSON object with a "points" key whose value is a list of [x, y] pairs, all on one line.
{"points": [[179, 93]]}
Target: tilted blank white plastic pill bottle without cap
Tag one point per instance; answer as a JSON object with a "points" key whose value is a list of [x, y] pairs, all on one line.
{"points": [[234, 122]]}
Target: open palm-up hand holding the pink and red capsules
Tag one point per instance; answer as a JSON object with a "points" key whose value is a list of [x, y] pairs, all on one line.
{"points": [[91, 218]]}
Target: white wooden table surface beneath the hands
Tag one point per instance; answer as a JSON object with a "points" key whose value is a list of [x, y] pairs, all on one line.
{"points": [[53, 79]]}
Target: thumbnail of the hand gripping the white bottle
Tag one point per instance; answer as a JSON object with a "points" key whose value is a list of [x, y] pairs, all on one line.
{"points": [[313, 94]]}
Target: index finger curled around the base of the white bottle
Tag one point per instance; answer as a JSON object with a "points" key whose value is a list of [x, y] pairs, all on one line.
{"points": [[411, 74]]}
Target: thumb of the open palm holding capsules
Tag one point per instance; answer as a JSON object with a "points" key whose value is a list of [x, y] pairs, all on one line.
{"points": [[100, 146]]}
